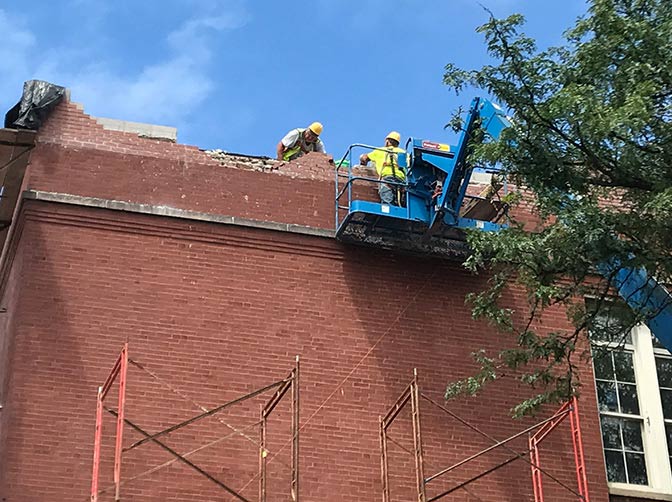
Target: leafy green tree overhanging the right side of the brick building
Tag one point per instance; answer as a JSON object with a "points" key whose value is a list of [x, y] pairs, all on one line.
{"points": [[591, 142]]}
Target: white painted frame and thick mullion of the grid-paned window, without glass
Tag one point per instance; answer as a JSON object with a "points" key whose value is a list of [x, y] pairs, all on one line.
{"points": [[651, 411]]}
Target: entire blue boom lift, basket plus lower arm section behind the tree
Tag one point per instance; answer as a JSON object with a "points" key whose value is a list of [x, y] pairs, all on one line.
{"points": [[437, 209]]}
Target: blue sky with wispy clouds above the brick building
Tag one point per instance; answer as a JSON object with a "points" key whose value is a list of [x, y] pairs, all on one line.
{"points": [[238, 74]]}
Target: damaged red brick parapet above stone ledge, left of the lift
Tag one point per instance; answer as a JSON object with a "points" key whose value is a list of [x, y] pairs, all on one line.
{"points": [[76, 155]]}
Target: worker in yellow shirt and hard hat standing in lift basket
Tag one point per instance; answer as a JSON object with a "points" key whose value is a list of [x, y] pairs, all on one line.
{"points": [[388, 169]]}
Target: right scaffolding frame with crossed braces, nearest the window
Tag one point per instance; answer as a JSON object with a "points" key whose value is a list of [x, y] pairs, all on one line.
{"points": [[412, 395]]}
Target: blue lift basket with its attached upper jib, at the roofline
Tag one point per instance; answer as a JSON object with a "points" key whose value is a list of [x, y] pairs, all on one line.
{"points": [[437, 205]]}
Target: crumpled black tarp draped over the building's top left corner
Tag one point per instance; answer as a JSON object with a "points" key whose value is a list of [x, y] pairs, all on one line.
{"points": [[37, 101]]}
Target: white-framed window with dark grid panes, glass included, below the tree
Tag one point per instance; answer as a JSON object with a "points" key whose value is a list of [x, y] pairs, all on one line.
{"points": [[633, 380]]}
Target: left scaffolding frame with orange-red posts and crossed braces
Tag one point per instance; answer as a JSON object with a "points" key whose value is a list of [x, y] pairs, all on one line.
{"points": [[119, 372]]}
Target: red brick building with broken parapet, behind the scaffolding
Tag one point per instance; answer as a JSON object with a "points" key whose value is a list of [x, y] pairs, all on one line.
{"points": [[218, 269]]}
